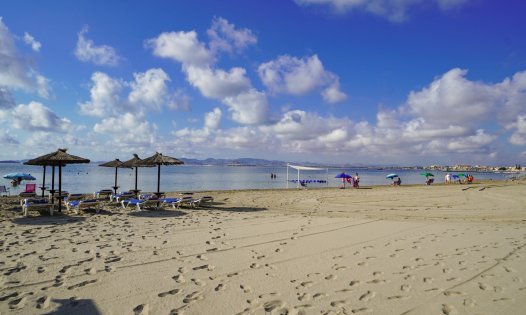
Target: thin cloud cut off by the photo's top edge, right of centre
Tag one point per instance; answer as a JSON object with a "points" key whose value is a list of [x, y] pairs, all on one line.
{"points": [[396, 11]]}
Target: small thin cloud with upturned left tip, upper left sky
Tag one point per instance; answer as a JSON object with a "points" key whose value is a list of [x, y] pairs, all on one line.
{"points": [[87, 51]]}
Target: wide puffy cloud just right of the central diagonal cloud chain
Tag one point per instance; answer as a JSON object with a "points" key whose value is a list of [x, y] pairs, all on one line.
{"points": [[296, 76]]}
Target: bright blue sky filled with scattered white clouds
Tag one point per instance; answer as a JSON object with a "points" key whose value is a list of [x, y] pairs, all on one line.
{"points": [[407, 82]]}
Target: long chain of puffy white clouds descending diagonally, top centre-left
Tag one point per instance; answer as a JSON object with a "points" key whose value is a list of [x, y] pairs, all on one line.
{"points": [[232, 87]]}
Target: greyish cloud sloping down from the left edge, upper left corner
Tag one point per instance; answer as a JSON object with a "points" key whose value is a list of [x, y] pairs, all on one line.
{"points": [[15, 70]]}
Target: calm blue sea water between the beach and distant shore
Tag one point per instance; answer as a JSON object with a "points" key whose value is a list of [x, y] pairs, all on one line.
{"points": [[87, 178]]}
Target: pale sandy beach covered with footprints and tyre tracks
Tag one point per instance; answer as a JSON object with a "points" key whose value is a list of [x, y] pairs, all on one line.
{"points": [[440, 249]]}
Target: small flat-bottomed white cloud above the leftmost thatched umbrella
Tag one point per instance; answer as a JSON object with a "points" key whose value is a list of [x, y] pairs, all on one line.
{"points": [[37, 117]]}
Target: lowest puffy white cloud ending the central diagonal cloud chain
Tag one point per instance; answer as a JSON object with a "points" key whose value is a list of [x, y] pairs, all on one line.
{"points": [[249, 107]]}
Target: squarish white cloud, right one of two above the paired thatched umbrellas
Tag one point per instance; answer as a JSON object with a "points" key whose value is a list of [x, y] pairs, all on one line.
{"points": [[149, 88]]}
